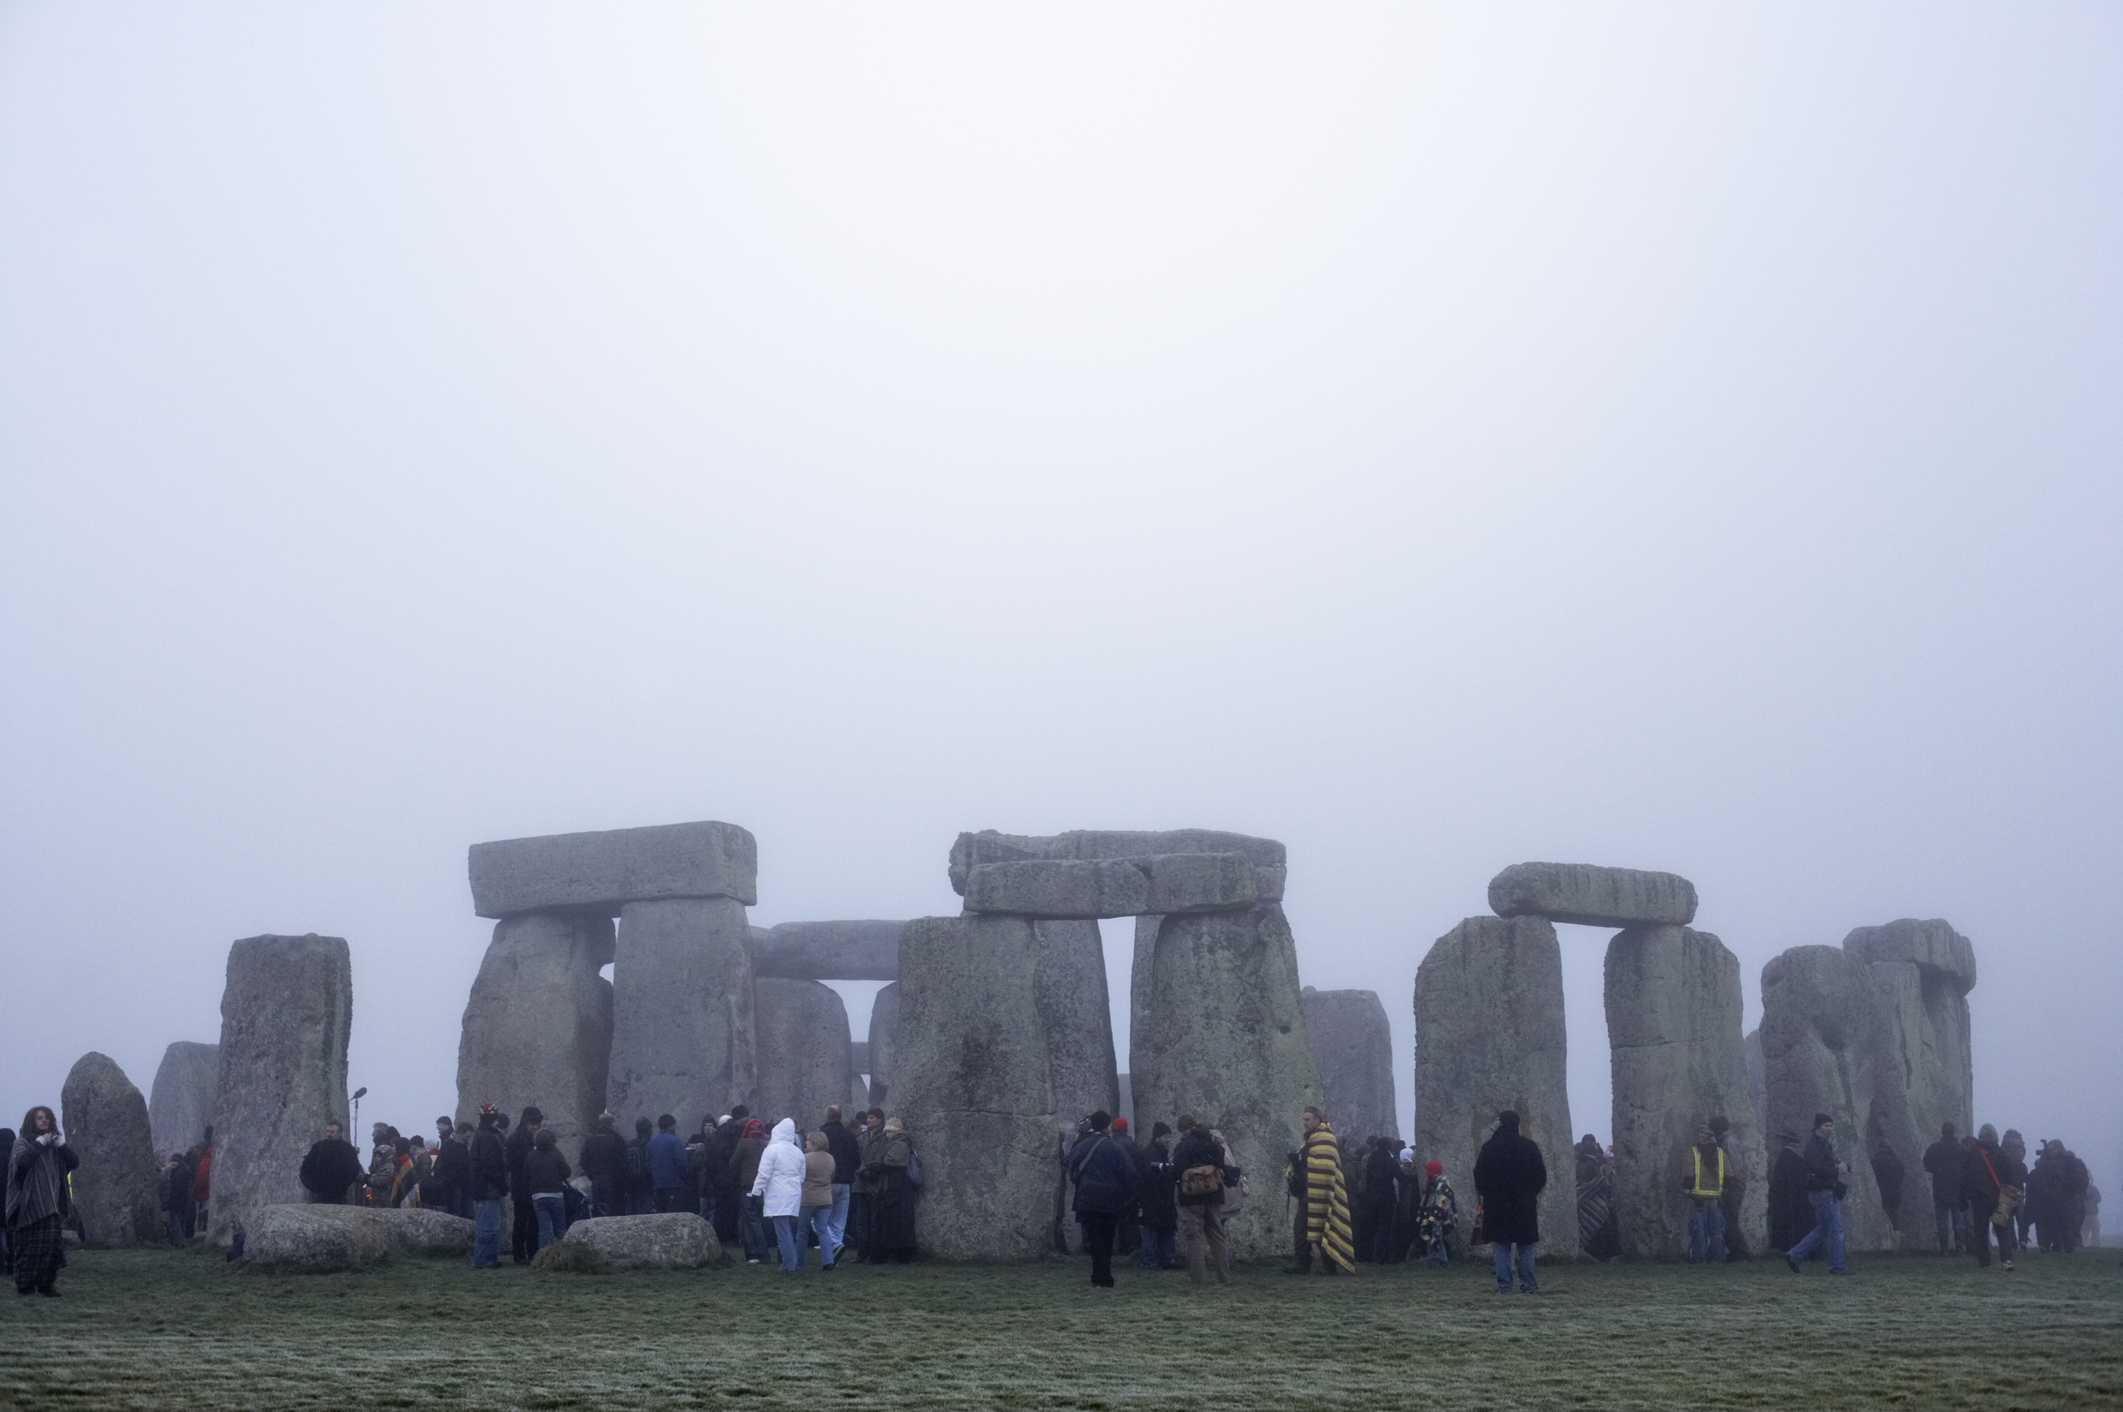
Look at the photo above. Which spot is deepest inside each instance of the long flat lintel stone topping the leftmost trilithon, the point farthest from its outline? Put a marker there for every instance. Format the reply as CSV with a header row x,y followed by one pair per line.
x,y
602,872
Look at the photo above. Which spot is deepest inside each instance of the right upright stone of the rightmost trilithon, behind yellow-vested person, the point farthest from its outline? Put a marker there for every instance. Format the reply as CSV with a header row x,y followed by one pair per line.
x,y
1674,1033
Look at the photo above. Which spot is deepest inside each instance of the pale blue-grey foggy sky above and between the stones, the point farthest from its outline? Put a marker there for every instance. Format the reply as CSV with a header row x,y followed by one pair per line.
x,y
1659,436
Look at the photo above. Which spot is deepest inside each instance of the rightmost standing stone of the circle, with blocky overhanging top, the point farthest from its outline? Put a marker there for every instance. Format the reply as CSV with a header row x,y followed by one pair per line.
x,y
1922,974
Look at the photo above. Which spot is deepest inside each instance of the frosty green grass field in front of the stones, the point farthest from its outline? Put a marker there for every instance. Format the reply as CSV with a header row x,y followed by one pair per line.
x,y
182,1330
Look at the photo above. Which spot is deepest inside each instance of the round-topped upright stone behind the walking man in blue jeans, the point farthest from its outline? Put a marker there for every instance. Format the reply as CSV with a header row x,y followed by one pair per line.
x,y
1827,1048
